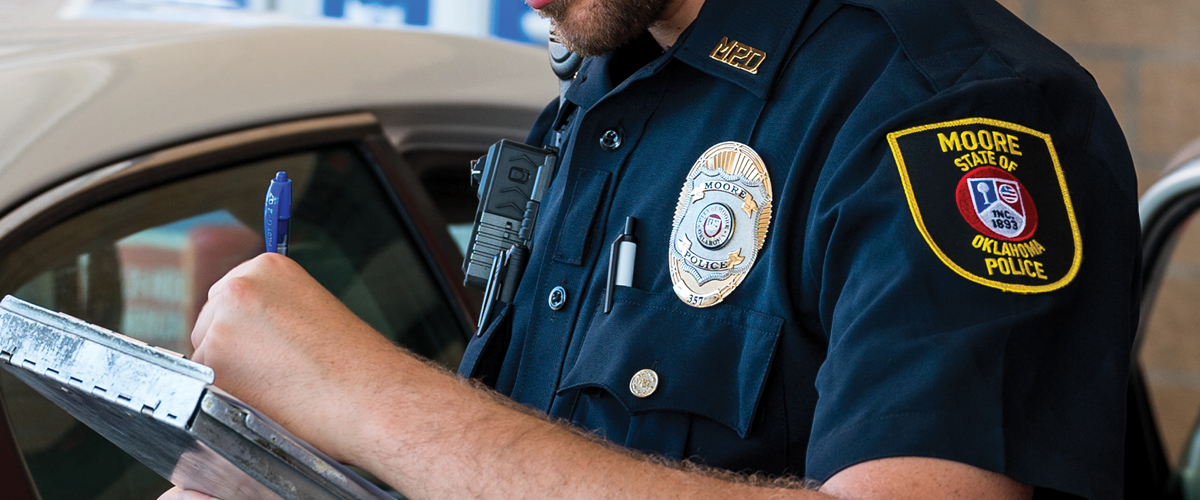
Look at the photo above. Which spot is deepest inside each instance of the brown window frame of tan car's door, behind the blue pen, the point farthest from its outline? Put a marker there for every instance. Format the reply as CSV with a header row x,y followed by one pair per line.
x,y
362,130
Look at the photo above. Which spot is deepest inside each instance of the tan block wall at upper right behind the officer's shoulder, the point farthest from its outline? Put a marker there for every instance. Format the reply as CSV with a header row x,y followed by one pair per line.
x,y
1145,55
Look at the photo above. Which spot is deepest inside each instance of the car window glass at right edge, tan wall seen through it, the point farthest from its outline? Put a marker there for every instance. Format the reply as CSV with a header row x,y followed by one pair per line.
x,y
1171,350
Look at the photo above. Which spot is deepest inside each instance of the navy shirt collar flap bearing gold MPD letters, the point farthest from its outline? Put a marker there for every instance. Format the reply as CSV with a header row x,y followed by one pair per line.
x,y
731,38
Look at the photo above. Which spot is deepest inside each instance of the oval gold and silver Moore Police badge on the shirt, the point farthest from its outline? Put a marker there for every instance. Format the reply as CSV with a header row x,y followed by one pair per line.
x,y
721,224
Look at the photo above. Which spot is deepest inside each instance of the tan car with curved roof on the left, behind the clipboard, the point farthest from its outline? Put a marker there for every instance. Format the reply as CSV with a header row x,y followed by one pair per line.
x,y
134,165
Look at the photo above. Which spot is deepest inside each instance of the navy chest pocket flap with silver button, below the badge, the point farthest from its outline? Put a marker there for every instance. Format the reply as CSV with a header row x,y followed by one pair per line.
x,y
710,363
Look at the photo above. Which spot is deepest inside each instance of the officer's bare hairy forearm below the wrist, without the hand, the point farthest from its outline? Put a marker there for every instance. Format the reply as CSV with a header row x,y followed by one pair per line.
x,y
434,436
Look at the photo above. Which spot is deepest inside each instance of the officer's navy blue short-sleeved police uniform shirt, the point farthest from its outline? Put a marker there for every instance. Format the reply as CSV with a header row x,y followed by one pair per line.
x,y
950,267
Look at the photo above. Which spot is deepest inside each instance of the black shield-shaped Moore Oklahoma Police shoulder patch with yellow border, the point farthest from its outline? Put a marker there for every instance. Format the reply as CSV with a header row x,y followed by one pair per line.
x,y
992,202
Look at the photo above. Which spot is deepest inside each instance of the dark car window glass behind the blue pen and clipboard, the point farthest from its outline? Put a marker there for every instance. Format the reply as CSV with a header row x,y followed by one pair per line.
x,y
143,264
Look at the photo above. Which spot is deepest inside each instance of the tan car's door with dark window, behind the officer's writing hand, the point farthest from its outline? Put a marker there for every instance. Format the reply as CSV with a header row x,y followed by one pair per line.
x,y
135,246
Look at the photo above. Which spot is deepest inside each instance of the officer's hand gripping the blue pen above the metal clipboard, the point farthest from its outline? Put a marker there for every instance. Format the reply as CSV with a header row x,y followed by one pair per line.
x,y
279,341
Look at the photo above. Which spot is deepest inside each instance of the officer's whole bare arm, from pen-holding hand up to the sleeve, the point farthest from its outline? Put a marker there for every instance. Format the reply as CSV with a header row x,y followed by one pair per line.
x,y
434,436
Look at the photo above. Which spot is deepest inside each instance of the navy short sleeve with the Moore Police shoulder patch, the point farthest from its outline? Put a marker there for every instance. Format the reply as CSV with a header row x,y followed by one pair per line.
x,y
976,272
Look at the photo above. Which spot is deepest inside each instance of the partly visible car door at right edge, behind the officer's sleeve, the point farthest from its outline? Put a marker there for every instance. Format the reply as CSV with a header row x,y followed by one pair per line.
x,y
1163,438
